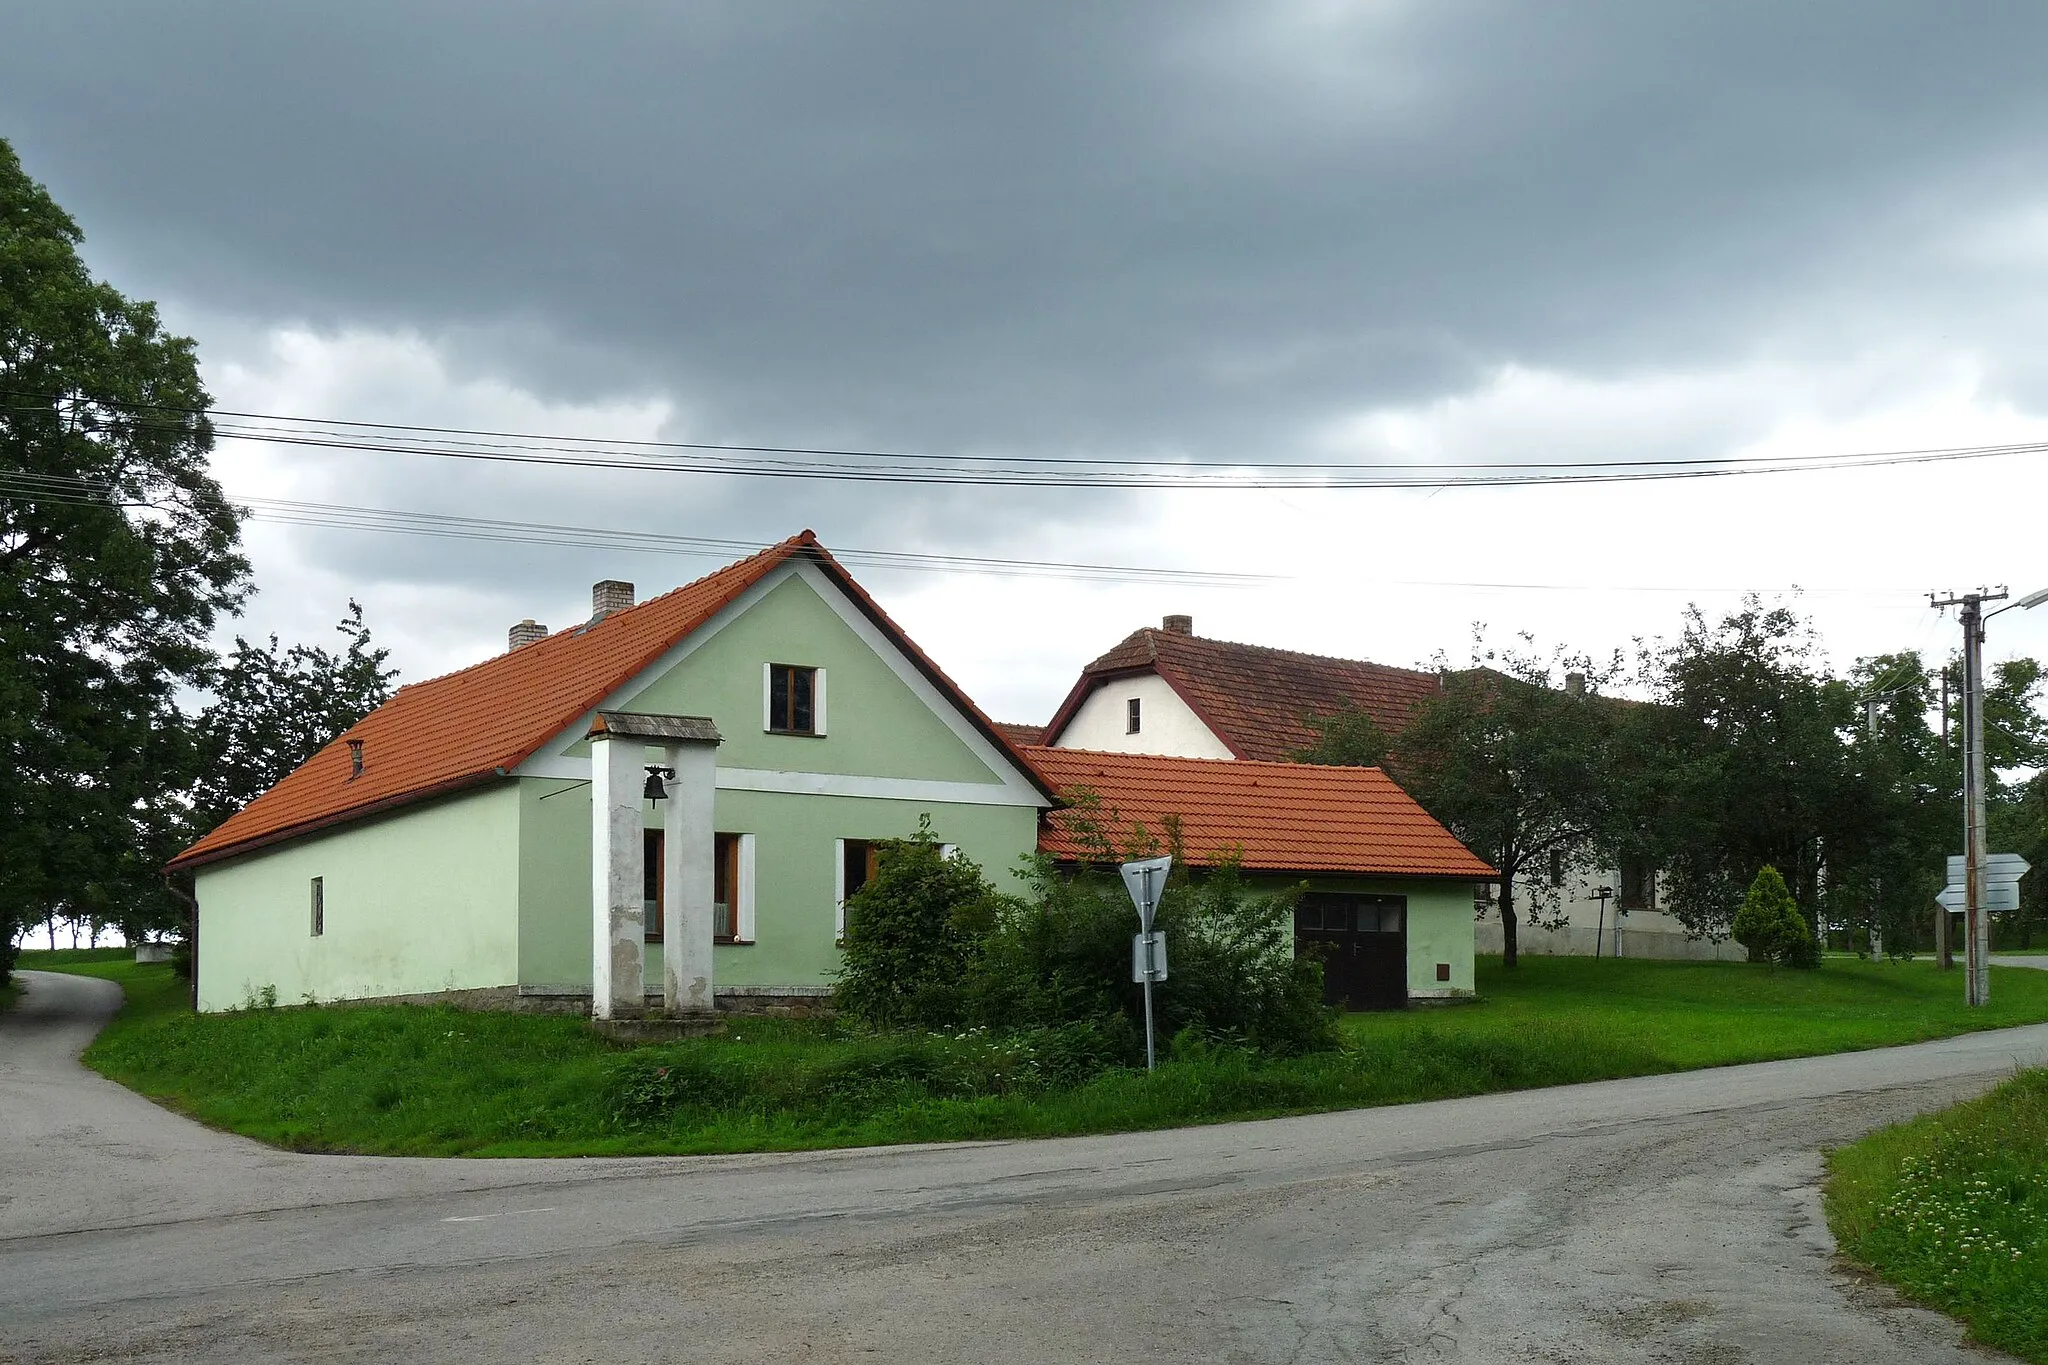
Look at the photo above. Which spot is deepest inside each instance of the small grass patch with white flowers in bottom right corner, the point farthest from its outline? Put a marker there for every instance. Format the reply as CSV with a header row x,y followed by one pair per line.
x,y
1953,1210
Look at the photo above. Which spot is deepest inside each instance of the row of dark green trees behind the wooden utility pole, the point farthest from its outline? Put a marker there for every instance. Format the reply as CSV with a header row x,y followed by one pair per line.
x,y
1719,754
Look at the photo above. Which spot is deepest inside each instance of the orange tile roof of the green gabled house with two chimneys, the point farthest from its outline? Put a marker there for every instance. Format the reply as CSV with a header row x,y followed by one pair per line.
x,y
484,721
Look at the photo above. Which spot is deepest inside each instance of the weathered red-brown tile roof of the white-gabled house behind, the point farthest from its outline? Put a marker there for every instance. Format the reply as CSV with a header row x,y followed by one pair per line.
x,y
1256,699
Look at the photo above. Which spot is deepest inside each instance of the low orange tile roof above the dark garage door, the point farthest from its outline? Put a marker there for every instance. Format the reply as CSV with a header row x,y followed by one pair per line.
x,y
1281,818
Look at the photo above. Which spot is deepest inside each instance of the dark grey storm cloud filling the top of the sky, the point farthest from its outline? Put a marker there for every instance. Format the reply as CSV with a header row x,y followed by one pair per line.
x,y
1172,226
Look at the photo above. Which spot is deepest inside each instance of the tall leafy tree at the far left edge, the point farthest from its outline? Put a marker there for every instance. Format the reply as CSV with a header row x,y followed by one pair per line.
x,y
118,554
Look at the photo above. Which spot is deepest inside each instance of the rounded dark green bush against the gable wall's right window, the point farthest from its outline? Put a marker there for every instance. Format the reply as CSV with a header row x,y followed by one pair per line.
x,y
914,934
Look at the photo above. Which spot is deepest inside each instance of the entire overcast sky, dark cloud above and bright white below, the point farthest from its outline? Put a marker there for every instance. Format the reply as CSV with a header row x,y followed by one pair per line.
x,y
1297,230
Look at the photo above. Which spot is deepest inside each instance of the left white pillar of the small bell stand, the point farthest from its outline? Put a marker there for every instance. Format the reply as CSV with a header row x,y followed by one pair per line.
x,y
617,877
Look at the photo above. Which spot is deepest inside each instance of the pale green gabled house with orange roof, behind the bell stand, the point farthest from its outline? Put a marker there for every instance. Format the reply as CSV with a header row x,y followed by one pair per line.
x,y
665,805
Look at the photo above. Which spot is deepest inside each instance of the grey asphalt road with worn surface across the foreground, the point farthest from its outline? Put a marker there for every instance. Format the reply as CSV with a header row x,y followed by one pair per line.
x,y
1670,1219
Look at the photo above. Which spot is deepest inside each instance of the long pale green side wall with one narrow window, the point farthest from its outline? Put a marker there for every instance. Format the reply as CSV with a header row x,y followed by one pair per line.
x,y
419,901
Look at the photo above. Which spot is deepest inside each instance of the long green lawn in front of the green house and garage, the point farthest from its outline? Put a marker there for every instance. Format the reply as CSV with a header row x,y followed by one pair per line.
x,y
441,1082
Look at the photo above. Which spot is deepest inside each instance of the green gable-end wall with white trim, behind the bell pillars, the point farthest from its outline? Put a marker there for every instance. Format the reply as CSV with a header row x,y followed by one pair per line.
x,y
882,732
